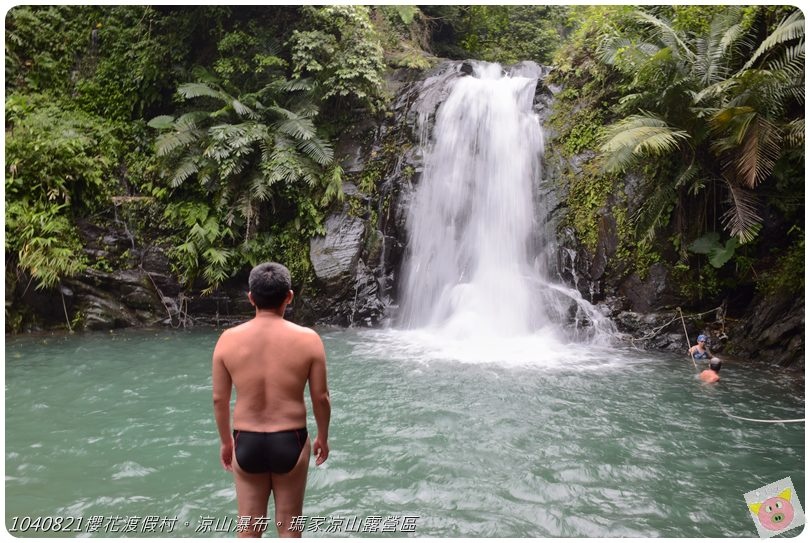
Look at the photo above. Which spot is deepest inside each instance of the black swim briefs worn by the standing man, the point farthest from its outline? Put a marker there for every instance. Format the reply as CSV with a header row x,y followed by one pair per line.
x,y
260,452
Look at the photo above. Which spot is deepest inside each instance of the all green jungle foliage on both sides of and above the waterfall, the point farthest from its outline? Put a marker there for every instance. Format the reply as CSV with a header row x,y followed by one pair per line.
x,y
225,119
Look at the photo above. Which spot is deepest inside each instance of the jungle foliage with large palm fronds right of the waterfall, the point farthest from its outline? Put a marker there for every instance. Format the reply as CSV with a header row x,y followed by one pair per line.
x,y
698,111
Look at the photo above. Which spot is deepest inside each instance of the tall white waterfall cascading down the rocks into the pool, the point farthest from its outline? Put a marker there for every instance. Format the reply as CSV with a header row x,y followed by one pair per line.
x,y
472,266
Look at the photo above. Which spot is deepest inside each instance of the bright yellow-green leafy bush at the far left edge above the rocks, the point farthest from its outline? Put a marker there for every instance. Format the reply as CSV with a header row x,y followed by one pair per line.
x,y
59,163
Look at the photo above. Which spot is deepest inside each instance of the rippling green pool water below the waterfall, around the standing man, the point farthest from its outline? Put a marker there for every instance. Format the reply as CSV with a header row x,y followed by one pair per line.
x,y
593,444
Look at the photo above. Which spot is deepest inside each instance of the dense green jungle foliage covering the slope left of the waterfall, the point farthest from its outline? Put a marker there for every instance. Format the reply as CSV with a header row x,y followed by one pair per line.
x,y
223,116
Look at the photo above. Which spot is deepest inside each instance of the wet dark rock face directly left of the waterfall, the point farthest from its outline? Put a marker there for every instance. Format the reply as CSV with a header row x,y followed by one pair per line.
x,y
357,262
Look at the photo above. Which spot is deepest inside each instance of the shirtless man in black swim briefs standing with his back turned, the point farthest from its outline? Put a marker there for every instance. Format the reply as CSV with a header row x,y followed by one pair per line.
x,y
270,360
